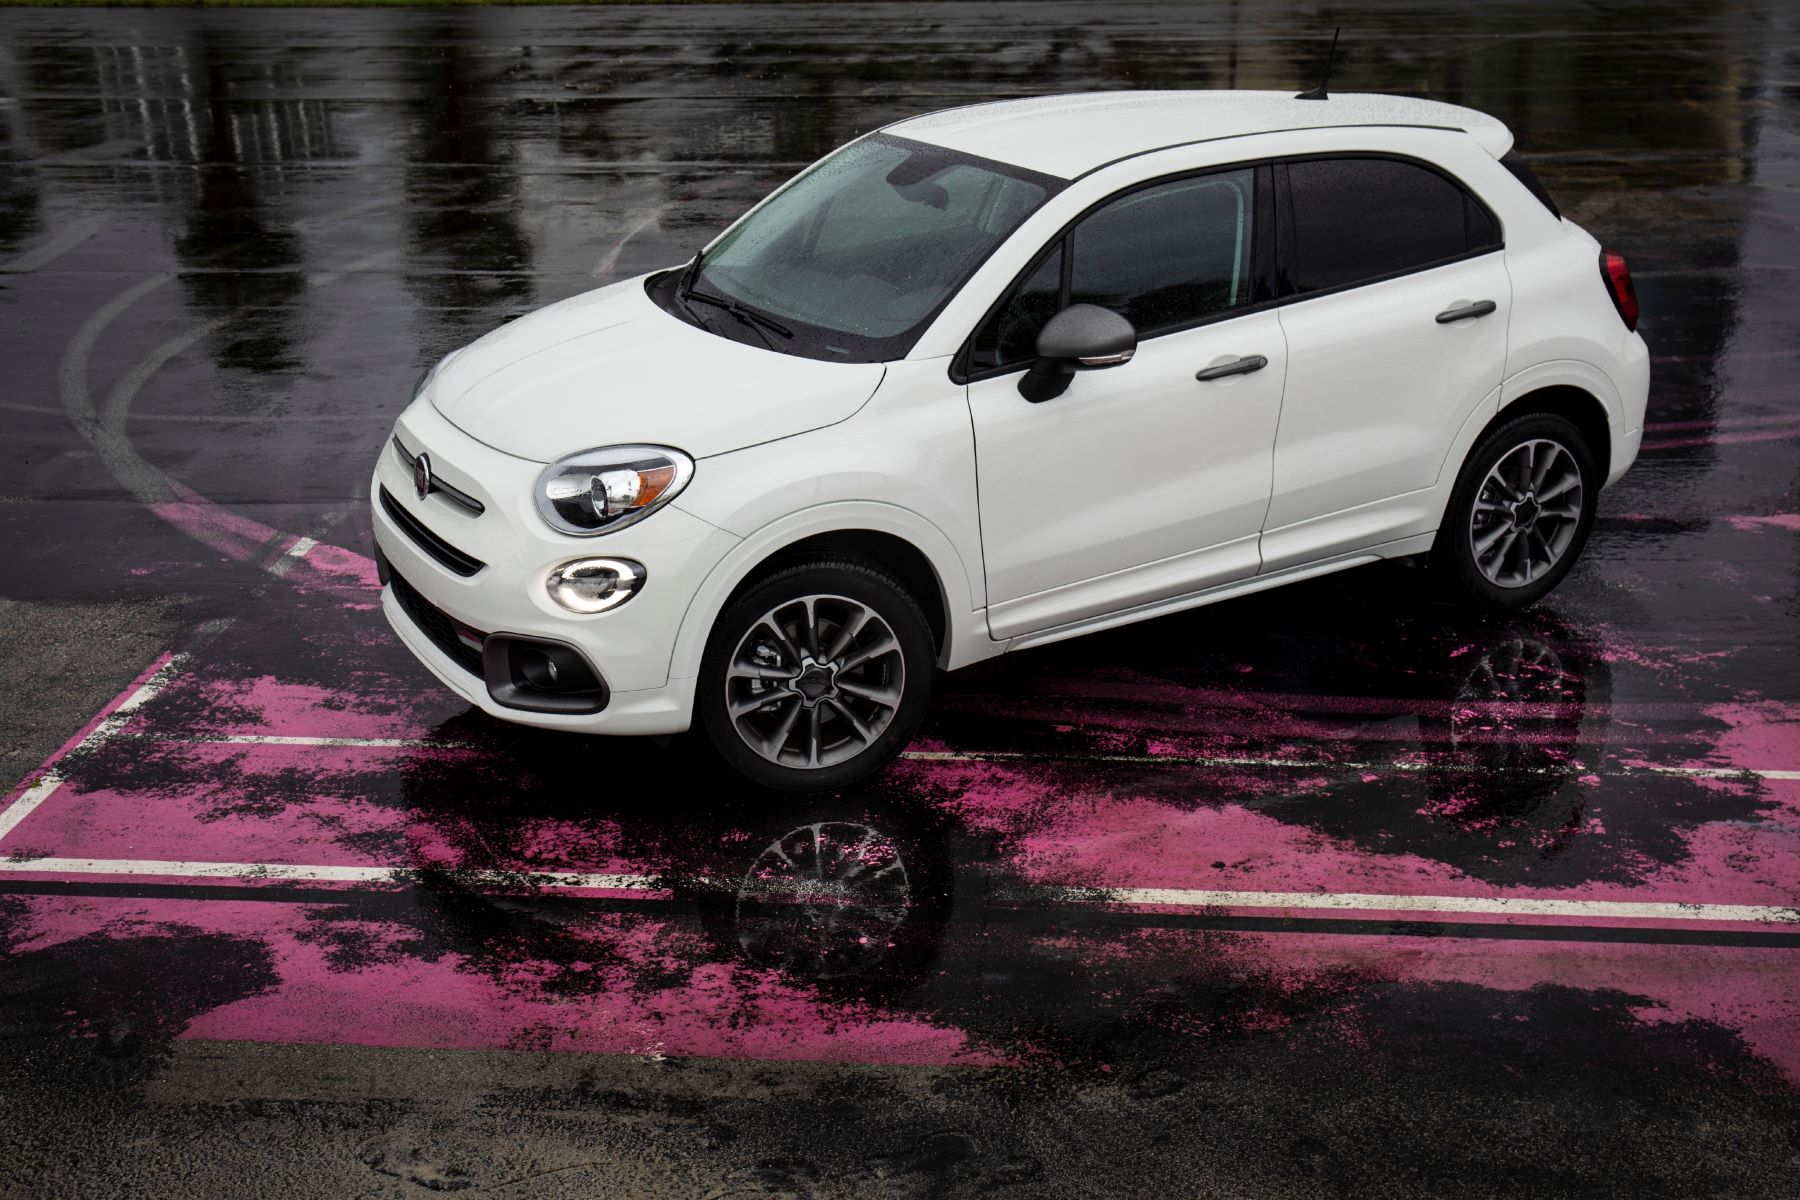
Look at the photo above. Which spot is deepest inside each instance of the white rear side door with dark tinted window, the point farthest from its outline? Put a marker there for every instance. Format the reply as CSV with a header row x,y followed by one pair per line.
x,y
1396,334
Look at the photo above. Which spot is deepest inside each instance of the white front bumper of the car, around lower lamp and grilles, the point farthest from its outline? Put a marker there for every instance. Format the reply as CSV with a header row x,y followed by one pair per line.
x,y
514,553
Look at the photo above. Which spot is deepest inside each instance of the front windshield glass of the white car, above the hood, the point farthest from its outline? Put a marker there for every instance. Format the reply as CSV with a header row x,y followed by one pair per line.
x,y
858,255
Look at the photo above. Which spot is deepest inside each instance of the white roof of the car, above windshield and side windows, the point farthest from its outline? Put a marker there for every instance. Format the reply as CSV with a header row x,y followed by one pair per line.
x,y
1068,136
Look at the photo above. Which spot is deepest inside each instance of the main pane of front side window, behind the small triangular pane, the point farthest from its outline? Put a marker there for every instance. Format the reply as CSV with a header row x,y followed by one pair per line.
x,y
1169,255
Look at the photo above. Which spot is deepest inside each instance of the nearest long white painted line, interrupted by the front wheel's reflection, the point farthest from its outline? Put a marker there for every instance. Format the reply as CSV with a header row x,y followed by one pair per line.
x,y
1065,897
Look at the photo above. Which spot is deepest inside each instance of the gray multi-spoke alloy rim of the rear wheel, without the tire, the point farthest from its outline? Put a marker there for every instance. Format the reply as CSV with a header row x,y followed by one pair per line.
x,y
1527,514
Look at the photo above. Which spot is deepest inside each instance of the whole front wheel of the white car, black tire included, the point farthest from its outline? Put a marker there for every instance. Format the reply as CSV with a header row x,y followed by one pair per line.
x,y
832,713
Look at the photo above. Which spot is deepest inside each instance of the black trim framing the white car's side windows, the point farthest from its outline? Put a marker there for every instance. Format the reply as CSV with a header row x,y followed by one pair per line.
x,y
1272,240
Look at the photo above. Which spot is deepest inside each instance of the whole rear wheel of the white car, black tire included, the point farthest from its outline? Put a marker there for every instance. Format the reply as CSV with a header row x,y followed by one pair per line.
x,y
1507,541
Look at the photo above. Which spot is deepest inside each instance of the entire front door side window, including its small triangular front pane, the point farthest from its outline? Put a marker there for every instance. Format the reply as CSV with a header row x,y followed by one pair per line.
x,y
1162,256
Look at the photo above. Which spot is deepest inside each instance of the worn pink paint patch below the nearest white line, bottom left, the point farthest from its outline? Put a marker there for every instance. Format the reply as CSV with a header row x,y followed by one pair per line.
x,y
458,1001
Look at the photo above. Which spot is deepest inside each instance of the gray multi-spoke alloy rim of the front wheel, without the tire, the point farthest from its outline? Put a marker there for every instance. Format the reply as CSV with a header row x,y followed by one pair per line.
x,y
814,683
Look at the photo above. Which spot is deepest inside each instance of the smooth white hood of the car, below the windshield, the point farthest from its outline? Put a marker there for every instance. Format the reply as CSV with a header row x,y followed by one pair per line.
x,y
611,368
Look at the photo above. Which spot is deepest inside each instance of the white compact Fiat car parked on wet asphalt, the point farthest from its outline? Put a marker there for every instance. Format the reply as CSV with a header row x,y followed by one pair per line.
x,y
998,377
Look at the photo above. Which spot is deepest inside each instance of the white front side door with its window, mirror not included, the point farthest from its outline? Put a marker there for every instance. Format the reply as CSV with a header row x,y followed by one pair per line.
x,y
1142,483
